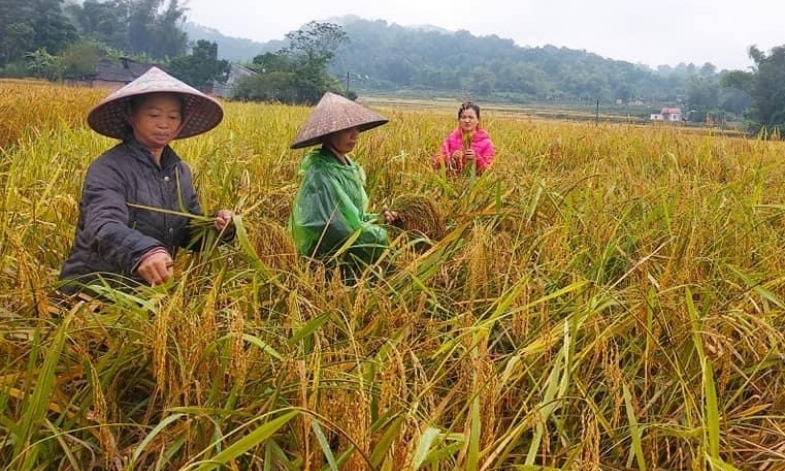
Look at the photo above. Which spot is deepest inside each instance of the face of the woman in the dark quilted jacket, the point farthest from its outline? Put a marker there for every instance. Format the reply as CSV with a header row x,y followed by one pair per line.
x,y
157,120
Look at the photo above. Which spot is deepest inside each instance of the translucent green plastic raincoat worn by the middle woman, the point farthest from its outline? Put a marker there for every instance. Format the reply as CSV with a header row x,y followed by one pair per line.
x,y
330,208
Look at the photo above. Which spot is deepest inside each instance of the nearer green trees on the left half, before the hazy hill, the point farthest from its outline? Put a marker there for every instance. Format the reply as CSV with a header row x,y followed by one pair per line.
x,y
59,40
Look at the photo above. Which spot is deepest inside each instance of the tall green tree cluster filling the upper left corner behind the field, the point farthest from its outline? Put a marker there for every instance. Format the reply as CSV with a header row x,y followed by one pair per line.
x,y
58,40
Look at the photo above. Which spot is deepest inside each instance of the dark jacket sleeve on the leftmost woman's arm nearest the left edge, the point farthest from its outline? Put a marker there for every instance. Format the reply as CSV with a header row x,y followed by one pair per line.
x,y
106,219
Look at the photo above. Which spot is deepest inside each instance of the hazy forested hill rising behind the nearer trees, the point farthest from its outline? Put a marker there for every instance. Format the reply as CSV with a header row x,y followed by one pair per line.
x,y
381,56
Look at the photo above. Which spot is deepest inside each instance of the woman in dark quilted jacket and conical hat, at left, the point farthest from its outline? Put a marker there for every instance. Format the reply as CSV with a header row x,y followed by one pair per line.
x,y
129,230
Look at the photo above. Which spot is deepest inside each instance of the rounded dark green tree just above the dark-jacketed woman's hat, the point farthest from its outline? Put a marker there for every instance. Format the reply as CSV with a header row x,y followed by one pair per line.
x,y
202,68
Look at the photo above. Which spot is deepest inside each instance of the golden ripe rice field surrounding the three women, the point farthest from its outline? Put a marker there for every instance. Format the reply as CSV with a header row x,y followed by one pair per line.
x,y
606,297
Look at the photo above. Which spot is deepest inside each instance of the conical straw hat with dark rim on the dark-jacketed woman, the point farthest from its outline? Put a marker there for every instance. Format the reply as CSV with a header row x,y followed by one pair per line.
x,y
110,116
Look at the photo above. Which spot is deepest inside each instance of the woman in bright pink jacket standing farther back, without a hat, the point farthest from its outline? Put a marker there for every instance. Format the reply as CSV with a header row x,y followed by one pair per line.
x,y
466,143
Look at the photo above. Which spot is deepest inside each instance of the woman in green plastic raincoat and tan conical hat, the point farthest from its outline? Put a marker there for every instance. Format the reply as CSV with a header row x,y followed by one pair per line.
x,y
330,210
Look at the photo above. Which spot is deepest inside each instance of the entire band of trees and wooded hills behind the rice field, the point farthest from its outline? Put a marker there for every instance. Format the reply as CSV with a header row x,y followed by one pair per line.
x,y
57,40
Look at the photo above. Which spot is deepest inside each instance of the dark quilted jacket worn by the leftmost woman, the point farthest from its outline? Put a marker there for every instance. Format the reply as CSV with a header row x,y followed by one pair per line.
x,y
111,235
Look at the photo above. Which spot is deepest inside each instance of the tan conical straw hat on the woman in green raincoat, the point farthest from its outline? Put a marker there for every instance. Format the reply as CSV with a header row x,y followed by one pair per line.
x,y
335,113
